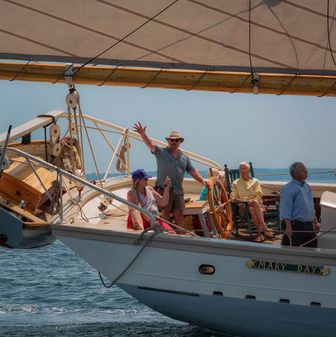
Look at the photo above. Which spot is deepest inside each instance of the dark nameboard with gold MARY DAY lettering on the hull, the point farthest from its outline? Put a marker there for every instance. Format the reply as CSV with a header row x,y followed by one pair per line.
x,y
281,266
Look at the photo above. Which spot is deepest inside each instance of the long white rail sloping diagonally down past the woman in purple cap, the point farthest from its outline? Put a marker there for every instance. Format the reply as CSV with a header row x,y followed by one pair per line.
x,y
86,183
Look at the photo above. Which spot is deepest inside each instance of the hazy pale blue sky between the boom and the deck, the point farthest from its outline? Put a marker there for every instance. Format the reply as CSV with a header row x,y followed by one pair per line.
x,y
270,131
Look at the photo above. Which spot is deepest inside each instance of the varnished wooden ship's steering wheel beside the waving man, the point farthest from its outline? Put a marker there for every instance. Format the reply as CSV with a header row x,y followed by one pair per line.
x,y
220,208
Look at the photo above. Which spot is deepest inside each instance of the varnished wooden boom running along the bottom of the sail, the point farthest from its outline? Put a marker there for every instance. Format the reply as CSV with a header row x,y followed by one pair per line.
x,y
286,84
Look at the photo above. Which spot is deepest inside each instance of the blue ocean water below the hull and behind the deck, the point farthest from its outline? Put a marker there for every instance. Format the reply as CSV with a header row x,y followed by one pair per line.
x,y
50,292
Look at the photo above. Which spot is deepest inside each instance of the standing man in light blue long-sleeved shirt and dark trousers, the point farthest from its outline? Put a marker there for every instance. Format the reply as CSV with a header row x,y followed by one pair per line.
x,y
297,209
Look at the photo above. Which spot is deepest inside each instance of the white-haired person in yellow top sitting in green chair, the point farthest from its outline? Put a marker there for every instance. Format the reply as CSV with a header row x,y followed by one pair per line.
x,y
248,189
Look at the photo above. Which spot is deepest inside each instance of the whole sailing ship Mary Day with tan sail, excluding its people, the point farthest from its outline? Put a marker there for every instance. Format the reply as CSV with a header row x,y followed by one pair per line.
x,y
213,281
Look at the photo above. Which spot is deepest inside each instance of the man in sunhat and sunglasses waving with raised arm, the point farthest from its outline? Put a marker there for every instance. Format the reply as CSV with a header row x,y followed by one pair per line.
x,y
171,162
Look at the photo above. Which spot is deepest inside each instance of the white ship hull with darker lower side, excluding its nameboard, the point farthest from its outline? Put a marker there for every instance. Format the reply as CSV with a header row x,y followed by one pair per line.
x,y
235,299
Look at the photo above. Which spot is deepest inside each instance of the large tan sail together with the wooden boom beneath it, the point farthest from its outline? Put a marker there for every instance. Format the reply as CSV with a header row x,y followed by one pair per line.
x,y
271,46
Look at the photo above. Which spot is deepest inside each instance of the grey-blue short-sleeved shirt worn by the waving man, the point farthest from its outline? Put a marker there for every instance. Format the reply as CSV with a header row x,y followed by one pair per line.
x,y
173,167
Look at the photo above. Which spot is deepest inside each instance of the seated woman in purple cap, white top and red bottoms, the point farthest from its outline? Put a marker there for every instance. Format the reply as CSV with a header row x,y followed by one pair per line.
x,y
147,198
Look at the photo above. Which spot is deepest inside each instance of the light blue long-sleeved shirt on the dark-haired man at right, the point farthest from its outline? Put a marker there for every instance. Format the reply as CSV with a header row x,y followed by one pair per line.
x,y
296,202
